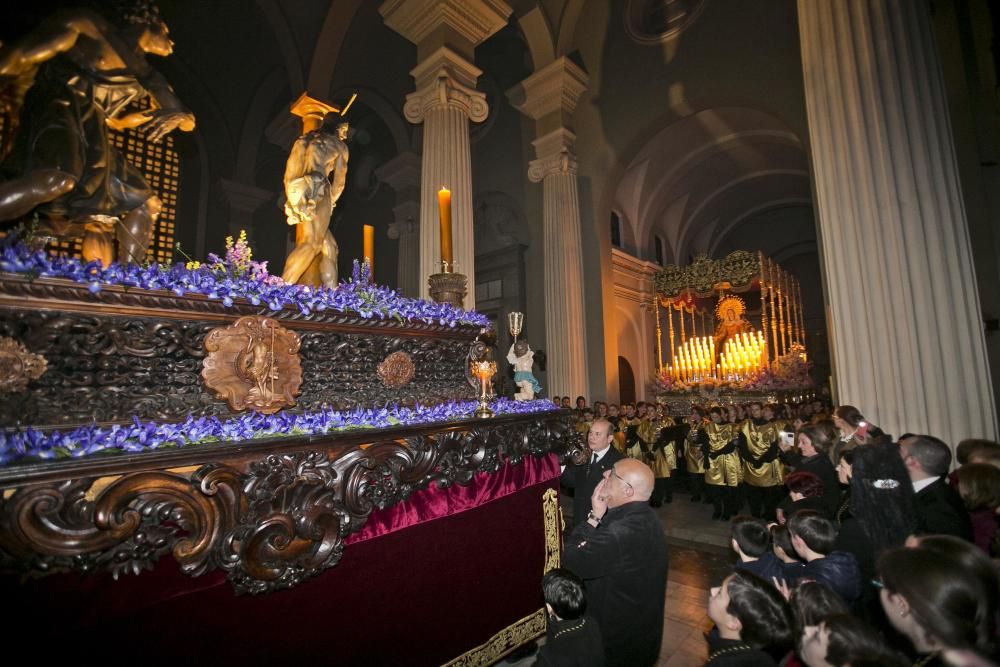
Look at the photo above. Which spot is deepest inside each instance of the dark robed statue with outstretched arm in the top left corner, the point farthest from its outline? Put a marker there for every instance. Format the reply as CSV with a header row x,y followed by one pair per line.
x,y
71,79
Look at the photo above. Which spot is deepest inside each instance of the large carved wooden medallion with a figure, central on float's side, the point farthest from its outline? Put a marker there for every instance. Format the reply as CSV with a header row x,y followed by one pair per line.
x,y
253,365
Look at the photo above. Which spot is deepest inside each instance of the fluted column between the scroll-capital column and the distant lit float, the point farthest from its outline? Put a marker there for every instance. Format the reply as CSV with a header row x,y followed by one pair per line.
x,y
549,96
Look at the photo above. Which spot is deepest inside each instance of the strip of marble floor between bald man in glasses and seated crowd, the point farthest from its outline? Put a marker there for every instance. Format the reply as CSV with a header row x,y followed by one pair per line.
x,y
700,558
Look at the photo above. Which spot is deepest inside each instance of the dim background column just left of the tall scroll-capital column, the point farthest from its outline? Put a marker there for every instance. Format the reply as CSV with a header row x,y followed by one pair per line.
x,y
402,174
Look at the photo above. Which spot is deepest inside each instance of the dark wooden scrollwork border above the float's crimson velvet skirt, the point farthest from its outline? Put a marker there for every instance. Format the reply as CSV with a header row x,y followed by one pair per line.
x,y
269,524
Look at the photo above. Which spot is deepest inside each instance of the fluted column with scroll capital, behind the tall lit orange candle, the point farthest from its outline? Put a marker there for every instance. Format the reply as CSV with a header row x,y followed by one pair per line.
x,y
446,33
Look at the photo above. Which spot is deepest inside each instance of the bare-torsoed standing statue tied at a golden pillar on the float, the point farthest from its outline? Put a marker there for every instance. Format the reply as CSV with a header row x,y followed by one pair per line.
x,y
315,175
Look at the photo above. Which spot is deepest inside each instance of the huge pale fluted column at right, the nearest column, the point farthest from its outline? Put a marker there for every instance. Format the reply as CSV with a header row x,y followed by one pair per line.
x,y
907,331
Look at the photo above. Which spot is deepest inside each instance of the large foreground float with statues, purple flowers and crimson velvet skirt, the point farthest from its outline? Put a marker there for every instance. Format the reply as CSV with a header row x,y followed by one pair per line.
x,y
206,462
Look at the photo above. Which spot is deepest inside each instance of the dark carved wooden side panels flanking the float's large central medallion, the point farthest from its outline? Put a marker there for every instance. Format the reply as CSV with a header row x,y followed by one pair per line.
x,y
114,367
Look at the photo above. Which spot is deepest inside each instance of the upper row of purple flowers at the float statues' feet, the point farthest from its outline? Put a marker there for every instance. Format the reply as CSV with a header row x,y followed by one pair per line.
x,y
357,295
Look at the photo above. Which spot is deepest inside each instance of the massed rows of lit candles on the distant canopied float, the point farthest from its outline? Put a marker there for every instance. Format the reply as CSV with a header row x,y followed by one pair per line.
x,y
743,356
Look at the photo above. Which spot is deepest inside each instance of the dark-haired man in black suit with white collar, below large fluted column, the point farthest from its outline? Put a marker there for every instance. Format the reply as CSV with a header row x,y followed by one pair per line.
x,y
940,510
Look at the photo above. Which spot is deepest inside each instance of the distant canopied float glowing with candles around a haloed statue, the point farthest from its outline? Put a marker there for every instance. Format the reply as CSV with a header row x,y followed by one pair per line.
x,y
729,329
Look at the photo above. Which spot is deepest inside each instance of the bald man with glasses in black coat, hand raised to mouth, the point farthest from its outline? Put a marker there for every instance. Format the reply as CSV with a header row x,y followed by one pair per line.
x,y
621,554
